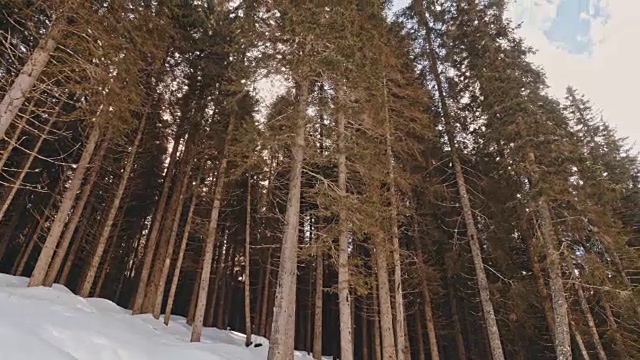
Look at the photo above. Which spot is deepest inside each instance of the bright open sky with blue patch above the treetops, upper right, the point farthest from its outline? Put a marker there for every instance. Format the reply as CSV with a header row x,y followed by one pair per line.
x,y
592,45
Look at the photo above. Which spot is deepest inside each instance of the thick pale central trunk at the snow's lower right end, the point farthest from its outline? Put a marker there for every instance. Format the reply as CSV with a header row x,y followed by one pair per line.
x,y
283,325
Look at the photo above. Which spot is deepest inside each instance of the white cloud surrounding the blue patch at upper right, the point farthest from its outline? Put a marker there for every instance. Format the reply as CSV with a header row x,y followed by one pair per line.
x,y
609,76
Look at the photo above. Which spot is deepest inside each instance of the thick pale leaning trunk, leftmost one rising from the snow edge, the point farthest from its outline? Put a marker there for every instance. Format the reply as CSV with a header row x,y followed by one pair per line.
x,y
50,244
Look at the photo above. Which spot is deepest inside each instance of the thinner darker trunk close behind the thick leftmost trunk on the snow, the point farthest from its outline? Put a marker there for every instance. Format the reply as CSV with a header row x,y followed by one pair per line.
x,y
54,267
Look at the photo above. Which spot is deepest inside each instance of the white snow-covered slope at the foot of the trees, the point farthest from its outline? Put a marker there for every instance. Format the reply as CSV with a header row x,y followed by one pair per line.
x,y
55,324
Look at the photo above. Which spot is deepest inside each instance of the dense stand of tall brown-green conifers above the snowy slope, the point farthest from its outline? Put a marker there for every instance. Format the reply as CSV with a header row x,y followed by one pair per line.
x,y
404,189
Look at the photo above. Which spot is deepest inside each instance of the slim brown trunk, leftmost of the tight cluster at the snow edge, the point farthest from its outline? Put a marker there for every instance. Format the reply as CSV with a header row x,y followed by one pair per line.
x,y
152,239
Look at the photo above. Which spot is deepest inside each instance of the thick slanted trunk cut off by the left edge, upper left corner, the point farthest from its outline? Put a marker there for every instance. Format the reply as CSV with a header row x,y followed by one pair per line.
x,y
23,84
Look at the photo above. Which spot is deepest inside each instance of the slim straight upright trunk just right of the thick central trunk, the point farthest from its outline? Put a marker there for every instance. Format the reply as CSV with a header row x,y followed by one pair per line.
x,y
344,298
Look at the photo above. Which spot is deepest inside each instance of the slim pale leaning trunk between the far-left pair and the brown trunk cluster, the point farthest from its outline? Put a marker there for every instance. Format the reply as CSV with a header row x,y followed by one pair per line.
x,y
113,210
